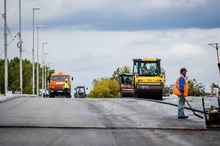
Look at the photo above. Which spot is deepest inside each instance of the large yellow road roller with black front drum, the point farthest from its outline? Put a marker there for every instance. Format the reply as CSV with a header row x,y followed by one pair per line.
x,y
147,78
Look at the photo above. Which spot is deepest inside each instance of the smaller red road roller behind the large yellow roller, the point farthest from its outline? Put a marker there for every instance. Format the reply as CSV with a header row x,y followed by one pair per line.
x,y
126,85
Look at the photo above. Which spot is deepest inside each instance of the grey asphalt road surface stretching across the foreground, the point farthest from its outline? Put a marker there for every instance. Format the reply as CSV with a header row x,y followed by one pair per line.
x,y
99,122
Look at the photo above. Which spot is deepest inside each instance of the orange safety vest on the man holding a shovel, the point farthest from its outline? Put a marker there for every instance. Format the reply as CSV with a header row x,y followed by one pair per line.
x,y
176,88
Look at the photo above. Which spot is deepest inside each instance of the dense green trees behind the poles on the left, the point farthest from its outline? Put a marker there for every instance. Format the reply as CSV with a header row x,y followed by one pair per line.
x,y
14,75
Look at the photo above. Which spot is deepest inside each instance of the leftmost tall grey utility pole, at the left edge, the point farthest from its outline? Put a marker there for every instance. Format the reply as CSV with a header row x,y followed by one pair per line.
x,y
6,49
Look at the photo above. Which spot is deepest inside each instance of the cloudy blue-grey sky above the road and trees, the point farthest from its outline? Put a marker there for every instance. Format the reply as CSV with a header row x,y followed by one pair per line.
x,y
91,38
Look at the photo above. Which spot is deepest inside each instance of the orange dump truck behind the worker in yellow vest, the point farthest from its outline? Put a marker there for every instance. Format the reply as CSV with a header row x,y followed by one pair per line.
x,y
56,84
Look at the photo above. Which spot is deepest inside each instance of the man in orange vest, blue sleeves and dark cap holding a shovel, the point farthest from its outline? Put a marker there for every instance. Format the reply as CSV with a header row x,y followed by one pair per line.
x,y
180,89
